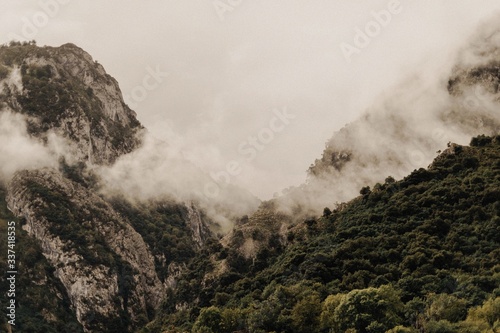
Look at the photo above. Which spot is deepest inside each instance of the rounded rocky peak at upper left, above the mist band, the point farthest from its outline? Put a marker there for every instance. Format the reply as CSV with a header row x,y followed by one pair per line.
x,y
63,90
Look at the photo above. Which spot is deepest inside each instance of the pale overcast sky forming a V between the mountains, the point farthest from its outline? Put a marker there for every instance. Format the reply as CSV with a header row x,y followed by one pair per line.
x,y
232,64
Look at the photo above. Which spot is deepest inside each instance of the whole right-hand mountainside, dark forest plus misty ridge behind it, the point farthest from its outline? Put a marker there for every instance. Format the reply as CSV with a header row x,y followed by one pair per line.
x,y
260,275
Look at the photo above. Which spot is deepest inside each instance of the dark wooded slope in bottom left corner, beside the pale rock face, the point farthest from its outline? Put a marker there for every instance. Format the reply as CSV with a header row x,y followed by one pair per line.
x,y
43,304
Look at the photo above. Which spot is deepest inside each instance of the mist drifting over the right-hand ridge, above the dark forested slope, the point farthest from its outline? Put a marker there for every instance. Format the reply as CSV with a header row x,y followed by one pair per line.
x,y
406,128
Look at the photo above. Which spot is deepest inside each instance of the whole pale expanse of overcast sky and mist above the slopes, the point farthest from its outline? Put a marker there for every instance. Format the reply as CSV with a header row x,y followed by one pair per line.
x,y
212,117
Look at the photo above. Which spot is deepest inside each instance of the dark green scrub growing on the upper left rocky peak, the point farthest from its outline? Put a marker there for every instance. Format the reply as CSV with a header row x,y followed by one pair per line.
x,y
51,95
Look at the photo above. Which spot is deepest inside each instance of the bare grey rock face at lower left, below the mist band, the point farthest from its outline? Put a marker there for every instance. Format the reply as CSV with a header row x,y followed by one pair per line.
x,y
101,260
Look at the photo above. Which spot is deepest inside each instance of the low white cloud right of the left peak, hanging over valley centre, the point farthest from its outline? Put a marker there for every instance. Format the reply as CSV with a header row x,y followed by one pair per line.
x,y
156,171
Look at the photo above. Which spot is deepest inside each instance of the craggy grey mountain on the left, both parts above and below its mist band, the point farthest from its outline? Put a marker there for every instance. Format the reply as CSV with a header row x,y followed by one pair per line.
x,y
111,259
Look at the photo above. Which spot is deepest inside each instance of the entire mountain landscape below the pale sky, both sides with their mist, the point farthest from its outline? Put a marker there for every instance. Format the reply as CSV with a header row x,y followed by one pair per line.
x,y
115,233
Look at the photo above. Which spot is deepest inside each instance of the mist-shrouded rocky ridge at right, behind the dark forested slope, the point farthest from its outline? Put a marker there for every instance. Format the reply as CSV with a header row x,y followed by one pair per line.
x,y
402,132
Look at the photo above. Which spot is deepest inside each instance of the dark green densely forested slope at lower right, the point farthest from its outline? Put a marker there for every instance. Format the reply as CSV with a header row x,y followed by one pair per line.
x,y
420,253
